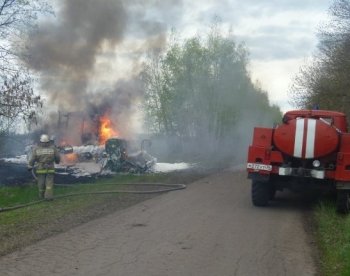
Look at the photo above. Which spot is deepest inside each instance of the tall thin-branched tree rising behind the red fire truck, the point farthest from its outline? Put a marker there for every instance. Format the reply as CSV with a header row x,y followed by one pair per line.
x,y
325,82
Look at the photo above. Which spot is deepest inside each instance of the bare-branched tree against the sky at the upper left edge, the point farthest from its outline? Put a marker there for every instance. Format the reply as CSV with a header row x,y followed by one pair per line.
x,y
17,98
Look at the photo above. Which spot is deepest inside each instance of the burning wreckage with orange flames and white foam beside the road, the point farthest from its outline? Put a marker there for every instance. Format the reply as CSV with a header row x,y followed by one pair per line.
x,y
106,149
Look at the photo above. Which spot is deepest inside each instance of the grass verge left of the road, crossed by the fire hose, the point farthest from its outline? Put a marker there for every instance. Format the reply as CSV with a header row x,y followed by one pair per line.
x,y
21,227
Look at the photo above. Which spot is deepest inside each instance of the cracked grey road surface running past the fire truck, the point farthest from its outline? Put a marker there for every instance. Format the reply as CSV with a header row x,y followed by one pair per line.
x,y
210,228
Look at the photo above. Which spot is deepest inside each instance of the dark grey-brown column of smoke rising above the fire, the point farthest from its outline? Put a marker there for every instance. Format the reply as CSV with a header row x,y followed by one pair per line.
x,y
64,52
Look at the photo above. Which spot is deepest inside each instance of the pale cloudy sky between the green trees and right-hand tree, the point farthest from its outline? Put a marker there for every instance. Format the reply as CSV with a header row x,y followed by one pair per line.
x,y
279,34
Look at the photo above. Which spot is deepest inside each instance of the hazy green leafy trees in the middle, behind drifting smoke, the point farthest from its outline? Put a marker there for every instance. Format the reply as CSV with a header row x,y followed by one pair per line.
x,y
201,89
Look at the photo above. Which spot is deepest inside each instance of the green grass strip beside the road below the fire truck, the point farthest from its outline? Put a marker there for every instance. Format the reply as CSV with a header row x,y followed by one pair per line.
x,y
333,237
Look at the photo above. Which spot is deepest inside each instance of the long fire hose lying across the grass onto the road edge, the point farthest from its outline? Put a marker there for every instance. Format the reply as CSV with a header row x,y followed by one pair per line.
x,y
166,188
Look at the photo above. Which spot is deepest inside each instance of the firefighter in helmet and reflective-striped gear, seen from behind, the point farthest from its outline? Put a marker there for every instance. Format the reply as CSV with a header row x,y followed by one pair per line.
x,y
43,158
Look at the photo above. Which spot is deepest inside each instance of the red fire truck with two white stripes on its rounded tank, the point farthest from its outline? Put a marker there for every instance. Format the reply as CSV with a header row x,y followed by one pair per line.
x,y
309,150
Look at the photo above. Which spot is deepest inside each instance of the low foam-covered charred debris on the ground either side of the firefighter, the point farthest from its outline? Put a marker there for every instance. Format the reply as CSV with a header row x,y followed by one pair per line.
x,y
83,163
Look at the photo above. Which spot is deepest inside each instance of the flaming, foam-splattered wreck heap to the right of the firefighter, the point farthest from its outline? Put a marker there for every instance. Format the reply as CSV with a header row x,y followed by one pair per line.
x,y
100,142
